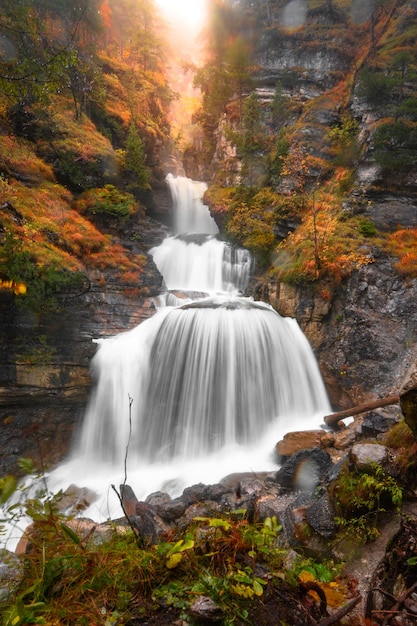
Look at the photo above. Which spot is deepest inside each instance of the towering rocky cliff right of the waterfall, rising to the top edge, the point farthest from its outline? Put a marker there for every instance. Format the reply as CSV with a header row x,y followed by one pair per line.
x,y
363,327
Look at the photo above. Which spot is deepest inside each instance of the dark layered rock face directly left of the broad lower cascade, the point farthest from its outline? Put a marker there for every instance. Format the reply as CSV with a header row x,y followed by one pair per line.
x,y
45,358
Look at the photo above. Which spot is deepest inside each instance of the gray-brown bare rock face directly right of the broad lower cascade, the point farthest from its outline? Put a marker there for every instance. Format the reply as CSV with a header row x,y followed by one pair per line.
x,y
364,337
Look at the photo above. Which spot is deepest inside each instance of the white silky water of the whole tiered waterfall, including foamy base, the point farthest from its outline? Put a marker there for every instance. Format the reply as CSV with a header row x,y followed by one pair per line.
x,y
200,390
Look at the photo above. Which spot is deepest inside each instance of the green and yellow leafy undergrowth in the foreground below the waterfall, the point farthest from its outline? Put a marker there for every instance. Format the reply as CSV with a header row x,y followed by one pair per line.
x,y
75,574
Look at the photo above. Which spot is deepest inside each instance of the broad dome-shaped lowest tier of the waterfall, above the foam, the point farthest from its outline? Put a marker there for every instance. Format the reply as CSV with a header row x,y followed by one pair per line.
x,y
204,375
